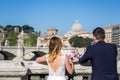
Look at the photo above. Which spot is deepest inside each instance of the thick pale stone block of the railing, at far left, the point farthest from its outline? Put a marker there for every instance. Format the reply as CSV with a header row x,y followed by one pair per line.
x,y
12,70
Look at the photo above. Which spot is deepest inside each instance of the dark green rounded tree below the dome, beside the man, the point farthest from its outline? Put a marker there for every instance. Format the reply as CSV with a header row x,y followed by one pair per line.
x,y
77,41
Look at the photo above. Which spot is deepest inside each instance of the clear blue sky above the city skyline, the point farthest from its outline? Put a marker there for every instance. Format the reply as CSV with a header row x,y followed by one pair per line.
x,y
60,14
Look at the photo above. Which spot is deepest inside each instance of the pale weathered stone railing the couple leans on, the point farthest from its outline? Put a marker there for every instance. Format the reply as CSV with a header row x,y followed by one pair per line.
x,y
30,70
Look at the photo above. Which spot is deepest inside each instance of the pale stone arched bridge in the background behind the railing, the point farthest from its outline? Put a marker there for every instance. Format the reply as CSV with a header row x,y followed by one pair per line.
x,y
12,52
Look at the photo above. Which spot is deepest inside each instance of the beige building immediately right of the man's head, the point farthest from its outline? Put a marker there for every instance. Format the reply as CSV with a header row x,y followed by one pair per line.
x,y
108,34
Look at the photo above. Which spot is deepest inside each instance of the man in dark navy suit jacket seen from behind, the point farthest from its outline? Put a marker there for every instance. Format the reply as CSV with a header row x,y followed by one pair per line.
x,y
102,57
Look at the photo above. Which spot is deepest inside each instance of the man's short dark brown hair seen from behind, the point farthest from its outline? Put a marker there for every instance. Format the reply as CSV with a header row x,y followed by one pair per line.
x,y
99,33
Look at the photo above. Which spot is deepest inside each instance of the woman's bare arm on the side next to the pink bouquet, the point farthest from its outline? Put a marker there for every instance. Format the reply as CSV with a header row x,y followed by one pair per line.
x,y
69,66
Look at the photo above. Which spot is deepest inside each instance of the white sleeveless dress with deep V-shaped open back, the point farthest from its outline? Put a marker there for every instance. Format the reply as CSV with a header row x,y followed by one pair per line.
x,y
60,72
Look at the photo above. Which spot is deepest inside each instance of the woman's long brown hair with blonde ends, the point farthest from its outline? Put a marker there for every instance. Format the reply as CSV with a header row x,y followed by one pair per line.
x,y
55,46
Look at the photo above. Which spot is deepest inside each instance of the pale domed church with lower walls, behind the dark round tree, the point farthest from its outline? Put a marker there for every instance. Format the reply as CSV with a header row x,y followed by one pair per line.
x,y
76,30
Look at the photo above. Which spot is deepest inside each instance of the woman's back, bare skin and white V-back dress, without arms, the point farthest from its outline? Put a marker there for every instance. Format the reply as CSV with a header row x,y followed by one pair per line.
x,y
57,68
